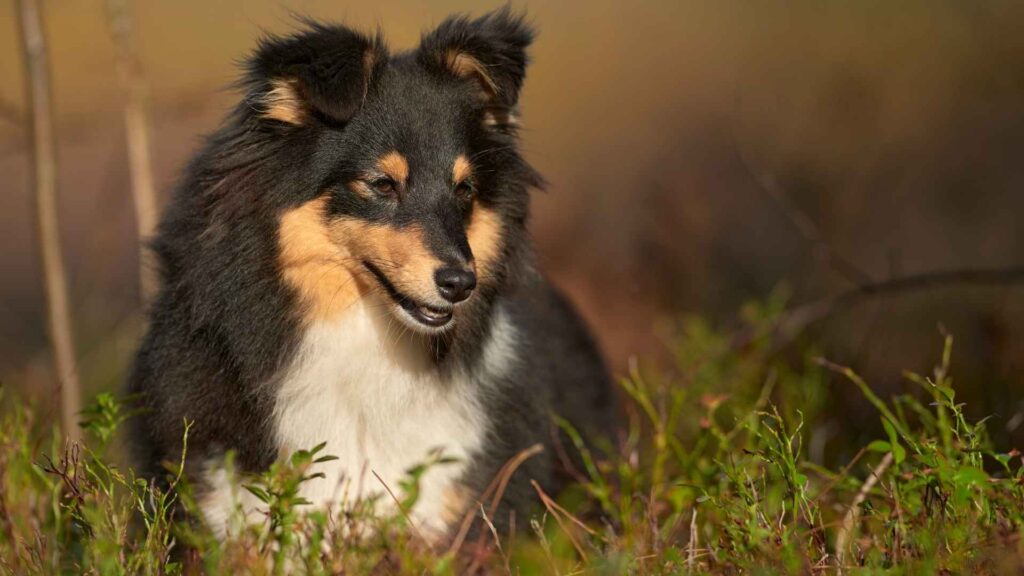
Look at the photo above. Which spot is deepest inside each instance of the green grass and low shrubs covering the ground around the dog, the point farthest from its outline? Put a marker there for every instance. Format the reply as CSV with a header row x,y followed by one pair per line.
x,y
710,475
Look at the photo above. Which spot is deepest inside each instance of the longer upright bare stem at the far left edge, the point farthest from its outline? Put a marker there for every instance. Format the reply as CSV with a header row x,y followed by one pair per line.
x,y
45,161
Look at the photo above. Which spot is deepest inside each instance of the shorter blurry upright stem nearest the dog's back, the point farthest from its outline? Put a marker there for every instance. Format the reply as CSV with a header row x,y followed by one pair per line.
x,y
133,80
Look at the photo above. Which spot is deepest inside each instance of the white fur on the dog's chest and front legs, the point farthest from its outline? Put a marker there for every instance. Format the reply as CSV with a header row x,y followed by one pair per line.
x,y
358,385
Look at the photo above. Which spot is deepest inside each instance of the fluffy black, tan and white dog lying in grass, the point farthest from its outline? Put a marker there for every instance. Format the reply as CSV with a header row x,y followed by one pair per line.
x,y
347,261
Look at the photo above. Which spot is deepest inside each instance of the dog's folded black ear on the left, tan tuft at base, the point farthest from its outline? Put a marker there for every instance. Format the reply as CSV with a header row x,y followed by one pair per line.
x,y
323,72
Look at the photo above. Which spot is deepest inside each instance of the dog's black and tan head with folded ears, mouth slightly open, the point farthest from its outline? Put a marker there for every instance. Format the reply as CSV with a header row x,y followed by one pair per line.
x,y
418,183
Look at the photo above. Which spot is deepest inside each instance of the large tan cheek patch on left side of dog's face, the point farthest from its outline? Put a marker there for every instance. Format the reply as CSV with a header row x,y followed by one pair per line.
x,y
314,265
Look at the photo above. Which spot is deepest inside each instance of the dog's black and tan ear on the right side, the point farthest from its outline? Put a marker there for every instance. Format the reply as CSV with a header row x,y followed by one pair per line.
x,y
489,52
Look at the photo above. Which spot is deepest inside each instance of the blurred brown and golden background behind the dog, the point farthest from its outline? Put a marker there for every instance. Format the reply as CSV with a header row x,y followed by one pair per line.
x,y
700,155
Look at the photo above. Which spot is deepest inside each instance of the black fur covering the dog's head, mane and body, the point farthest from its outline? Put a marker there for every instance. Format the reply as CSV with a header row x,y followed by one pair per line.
x,y
226,324
